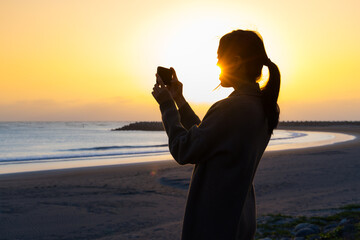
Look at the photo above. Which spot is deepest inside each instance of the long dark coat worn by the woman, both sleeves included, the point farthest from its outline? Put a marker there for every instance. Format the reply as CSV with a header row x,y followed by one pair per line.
x,y
226,148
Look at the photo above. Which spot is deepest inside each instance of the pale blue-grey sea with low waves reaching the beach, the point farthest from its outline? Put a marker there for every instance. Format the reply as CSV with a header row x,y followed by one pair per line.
x,y
33,146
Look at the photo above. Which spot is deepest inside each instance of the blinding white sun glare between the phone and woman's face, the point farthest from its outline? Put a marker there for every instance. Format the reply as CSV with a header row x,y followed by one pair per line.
x,y
192,51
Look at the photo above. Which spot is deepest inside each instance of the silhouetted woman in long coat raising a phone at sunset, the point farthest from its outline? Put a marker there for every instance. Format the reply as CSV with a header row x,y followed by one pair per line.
x,y
226,146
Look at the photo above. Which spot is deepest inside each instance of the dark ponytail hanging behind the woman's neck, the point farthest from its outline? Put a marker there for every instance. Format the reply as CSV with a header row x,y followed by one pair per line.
x,y
270,95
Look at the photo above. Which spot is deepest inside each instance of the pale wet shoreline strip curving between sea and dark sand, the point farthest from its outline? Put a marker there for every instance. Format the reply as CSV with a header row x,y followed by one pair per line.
x,y
111,161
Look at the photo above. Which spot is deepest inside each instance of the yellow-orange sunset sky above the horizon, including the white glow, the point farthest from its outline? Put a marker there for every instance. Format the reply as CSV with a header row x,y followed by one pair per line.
x,y
96,60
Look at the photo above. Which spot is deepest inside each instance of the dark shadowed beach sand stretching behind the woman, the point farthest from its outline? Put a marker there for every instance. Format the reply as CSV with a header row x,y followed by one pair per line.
x,y
147,200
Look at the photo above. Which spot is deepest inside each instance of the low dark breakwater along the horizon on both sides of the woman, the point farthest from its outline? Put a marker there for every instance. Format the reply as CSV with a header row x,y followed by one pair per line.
x,y
158,126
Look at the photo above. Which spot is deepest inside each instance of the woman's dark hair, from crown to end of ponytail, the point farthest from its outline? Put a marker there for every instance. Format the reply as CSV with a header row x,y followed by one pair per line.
x,y
250,47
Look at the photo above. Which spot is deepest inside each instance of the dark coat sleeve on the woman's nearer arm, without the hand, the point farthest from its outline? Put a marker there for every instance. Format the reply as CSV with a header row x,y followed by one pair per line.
x,y
193,145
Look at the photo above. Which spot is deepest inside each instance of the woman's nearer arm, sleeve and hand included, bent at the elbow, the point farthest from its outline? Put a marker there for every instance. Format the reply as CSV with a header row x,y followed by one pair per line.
x,y
199,142
